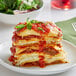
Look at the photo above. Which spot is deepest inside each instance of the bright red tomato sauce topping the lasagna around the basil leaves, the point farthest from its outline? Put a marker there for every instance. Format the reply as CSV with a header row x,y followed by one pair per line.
x,y
35,28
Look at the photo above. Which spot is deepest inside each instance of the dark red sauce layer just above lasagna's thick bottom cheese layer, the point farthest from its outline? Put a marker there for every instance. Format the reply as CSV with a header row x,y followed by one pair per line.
x,y
46,50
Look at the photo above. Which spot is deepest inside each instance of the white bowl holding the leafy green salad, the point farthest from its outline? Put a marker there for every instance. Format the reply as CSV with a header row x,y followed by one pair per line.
x,y
13,19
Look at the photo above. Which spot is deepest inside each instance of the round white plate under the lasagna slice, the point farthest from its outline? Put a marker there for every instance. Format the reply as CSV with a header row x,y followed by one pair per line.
x,y
51,69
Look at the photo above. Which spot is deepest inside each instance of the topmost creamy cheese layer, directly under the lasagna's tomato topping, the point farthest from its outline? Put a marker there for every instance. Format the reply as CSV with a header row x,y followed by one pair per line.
x,y
27,32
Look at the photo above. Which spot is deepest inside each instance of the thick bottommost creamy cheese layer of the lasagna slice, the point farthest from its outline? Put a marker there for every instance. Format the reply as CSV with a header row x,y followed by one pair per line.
x,y
26,58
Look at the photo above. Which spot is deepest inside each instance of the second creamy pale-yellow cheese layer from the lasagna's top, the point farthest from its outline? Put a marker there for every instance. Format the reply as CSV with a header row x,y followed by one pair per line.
x,y
36,40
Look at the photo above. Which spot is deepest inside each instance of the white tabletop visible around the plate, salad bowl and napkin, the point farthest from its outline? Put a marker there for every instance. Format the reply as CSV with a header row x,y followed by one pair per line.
x,y
46,14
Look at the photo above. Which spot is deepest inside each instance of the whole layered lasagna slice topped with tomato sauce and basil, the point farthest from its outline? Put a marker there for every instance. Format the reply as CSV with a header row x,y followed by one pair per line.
x,y
36,43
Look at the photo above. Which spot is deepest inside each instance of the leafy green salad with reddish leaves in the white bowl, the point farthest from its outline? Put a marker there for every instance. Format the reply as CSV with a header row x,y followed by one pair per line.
x,y
9,6
